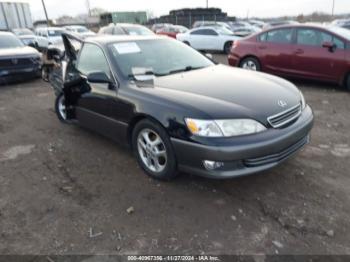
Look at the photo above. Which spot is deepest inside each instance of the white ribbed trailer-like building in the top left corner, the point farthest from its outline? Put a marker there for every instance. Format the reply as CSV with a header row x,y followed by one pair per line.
x,y
15,15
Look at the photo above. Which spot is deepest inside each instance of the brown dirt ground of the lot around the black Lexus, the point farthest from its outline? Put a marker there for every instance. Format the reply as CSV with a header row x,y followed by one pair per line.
x,y
65,190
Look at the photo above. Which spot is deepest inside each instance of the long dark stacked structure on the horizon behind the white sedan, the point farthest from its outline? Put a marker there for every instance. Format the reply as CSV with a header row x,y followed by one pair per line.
x,y
187,17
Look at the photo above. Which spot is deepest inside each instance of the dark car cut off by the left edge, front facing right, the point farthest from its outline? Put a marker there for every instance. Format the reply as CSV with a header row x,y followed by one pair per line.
x,y
17,61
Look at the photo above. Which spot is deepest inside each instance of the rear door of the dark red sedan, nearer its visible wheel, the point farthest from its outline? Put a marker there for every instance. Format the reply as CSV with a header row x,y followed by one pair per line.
x,y
275,50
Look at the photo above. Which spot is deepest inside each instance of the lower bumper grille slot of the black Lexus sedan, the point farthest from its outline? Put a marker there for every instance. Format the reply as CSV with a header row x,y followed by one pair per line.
x,y
275,158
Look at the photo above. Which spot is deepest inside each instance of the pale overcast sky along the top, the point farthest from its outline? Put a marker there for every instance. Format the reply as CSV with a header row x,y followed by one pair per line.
x,y
239,8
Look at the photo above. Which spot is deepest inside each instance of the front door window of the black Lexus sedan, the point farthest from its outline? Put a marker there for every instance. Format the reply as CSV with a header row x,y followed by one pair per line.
x,y
92,59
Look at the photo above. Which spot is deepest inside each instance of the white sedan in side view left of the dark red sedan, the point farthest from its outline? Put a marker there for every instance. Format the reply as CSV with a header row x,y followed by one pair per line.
x,y
209,38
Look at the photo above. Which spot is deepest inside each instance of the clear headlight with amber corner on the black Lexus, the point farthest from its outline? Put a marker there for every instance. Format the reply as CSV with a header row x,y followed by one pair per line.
x,y
224,128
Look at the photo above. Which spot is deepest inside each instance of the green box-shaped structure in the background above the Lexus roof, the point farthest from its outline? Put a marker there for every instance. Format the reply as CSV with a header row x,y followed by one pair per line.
x,y
123,17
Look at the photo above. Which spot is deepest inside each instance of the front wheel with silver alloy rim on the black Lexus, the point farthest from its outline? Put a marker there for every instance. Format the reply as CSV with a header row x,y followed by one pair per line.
x,y
156,159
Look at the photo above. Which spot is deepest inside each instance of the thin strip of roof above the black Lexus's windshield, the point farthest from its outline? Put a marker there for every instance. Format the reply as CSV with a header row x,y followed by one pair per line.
x,y
108,39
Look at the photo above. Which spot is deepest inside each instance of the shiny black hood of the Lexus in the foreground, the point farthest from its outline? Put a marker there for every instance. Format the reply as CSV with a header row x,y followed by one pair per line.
x,y
223,92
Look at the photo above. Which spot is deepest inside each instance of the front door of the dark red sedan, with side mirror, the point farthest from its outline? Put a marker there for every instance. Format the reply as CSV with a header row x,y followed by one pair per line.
x,y
312,60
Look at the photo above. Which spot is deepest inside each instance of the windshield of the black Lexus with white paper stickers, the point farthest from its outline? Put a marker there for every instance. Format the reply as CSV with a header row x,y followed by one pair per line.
x,y
157,56
